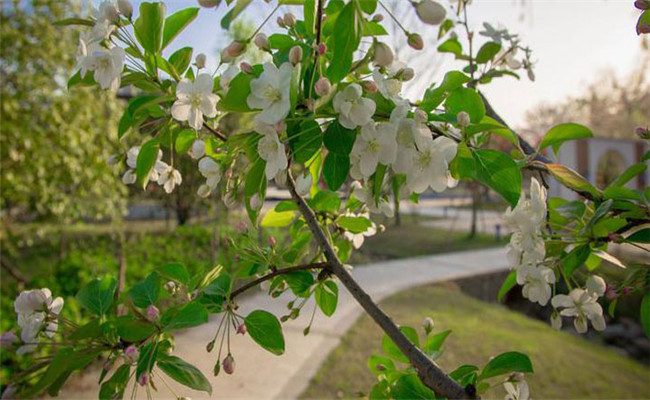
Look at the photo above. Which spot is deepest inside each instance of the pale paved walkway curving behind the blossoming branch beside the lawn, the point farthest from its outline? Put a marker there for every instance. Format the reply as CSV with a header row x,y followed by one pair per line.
x,y
261,375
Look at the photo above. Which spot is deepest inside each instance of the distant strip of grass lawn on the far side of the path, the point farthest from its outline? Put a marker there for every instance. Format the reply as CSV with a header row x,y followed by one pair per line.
x,y
413,238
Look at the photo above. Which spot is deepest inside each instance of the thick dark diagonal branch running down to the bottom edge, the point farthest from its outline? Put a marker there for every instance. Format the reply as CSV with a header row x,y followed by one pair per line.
x,y
430,373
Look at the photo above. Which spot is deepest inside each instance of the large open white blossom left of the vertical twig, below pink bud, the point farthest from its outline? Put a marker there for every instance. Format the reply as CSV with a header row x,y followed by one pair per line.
x,y
271,93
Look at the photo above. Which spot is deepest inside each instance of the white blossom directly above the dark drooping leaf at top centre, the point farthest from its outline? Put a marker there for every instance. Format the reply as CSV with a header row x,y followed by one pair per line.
x,y
353,109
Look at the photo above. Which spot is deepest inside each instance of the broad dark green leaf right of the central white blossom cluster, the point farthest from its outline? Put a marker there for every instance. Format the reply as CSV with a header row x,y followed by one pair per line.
x,y
500,172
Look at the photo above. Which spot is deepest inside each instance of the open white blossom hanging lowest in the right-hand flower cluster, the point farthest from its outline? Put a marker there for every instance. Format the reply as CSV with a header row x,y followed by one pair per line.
x,y
583,306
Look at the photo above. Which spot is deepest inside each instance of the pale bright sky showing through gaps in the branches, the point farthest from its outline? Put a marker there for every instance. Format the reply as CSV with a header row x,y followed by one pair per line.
x,y
572,41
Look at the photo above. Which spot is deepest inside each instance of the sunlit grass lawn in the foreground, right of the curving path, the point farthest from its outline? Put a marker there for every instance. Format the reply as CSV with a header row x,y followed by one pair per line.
x,y
566,366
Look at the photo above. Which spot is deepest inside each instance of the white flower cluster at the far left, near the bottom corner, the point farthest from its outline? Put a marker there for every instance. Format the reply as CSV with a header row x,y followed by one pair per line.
x,y
37,313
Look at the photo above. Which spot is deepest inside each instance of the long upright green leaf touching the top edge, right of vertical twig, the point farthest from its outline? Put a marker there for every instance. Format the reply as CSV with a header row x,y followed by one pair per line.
x,y
345,41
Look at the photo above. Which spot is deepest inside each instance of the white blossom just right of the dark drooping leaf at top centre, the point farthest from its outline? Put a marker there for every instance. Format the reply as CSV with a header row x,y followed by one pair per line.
x,y
376,144
